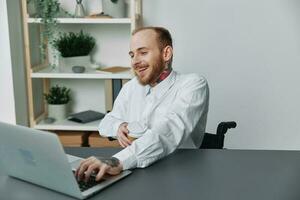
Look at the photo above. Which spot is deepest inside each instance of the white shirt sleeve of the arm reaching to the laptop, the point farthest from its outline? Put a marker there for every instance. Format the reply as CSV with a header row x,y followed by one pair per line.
x,y
171,130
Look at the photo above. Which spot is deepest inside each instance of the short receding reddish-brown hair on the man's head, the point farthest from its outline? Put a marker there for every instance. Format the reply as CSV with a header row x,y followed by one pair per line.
x,y
164,37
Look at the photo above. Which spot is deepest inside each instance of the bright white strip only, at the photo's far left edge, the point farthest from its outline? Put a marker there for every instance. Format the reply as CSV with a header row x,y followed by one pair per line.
x,y
7,103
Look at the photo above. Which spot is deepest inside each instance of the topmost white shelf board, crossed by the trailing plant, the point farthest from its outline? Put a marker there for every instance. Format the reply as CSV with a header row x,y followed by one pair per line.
x,y
85,20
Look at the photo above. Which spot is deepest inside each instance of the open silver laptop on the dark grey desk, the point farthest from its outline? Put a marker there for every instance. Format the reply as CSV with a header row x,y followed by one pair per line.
x,y
38,157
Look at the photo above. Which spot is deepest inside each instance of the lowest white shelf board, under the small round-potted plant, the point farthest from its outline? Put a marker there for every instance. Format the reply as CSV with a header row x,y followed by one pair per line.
x,y
68,125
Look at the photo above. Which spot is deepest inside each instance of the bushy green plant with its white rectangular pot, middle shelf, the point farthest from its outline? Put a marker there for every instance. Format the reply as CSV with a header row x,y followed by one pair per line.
x,y
74,49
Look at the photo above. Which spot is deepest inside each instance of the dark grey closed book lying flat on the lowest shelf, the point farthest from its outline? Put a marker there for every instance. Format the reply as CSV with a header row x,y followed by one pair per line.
x,y
86,116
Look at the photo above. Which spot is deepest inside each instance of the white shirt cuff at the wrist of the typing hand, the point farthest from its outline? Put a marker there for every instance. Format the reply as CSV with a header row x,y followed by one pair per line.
x,y
127,158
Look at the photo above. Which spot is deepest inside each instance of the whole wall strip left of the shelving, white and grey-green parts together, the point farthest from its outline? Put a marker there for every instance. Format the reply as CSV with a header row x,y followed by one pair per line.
x,y
13,101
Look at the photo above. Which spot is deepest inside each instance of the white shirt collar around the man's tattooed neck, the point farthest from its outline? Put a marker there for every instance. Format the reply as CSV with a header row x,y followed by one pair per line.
x,y
160,89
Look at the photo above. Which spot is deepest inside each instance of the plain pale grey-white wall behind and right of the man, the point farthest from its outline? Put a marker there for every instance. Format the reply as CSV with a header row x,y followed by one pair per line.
x,y
250,53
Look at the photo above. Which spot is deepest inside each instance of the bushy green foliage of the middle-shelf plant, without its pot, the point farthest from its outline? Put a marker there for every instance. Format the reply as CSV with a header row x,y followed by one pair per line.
x,y
74,44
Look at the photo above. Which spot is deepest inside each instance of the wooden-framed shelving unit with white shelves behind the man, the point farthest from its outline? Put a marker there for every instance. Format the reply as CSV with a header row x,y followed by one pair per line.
x,y
40,77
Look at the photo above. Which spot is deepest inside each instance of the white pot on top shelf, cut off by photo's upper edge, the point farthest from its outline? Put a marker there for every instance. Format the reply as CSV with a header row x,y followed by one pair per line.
x,y
116,10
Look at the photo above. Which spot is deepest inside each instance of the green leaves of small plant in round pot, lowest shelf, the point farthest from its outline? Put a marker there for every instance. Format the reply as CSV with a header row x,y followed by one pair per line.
x,y
58,95
